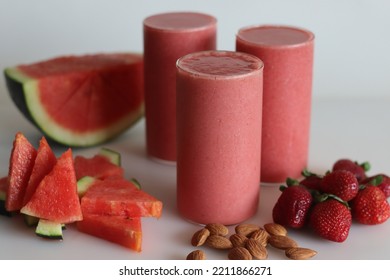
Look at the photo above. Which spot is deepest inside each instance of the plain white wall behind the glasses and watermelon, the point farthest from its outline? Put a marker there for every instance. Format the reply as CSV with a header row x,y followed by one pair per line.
x,y
352,36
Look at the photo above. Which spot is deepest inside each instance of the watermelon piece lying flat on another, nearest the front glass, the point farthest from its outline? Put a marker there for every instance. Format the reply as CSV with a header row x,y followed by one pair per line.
x,y
119,197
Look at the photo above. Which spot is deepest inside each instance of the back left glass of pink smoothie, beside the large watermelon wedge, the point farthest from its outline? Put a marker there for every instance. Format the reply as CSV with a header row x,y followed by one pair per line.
x,y
167,37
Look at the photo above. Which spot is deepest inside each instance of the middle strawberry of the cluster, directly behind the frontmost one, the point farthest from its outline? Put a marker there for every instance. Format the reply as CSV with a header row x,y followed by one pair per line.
x,y
341,183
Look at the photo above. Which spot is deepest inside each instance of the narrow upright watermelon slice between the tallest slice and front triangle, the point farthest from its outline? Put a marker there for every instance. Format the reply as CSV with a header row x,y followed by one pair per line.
x,y
44,163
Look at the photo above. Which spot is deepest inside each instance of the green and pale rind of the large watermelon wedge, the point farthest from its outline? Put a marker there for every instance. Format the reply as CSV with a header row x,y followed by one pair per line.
x,y
25,94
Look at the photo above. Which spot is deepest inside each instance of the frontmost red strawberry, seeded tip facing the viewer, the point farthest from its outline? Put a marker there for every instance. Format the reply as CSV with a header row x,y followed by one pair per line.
x,y
331,220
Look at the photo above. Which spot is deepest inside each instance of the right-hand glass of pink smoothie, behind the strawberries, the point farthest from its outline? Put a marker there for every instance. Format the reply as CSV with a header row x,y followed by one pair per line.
x,y
287,53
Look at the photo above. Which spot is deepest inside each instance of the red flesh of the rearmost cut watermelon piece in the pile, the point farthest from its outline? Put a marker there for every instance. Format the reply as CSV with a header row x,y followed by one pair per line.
x,y
98,166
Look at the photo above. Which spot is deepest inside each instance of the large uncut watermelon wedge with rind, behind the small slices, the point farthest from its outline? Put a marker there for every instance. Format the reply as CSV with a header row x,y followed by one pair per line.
x,y
80,100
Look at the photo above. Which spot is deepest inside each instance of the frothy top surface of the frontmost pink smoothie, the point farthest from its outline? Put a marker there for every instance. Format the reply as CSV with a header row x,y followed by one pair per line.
x,y
219,63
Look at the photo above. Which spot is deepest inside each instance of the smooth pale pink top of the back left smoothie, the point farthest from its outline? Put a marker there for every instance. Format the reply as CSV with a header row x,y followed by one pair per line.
x,y
179,21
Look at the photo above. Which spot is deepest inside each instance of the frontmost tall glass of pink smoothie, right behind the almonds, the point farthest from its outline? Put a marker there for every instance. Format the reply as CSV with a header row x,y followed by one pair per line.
x,y
219,101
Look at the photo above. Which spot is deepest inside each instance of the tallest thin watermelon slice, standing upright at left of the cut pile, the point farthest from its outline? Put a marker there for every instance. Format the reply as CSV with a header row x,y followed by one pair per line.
x,y
22,159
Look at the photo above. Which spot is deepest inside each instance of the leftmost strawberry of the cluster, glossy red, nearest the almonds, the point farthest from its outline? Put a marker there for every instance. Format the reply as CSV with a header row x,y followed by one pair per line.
x,y
292,206
